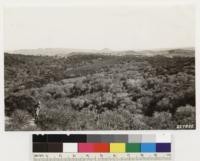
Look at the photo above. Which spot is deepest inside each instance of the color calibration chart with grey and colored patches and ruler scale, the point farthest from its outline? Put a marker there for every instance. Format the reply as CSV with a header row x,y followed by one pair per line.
x,y
92,147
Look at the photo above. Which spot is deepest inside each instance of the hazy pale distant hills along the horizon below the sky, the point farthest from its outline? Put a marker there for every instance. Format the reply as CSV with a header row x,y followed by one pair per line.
x,y
65,52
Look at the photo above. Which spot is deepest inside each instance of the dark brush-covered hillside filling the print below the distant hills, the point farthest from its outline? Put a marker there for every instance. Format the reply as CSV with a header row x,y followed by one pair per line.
x,y
95,91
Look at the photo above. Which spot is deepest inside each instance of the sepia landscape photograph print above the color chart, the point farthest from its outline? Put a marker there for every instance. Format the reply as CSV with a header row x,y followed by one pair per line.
x,y
79,67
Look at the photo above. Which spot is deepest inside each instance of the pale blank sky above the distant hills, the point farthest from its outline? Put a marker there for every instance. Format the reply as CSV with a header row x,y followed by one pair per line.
x,y
117,28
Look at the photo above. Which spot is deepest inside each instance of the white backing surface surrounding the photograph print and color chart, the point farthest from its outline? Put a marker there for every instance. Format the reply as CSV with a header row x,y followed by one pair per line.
x,y
16,146
